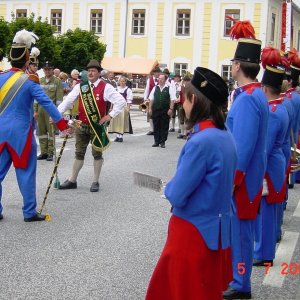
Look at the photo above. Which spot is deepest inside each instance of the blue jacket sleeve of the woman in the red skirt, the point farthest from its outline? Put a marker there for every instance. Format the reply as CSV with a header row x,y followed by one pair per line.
x,y
190,172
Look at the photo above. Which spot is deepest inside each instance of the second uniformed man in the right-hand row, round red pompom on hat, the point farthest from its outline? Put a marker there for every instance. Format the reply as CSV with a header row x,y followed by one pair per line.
x,y
275,176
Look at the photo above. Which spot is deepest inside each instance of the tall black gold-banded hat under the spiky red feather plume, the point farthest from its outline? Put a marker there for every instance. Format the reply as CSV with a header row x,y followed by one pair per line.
x,y
248,50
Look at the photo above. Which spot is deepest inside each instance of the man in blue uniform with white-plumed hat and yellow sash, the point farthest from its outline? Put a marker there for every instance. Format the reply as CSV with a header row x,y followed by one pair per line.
x,y
17,142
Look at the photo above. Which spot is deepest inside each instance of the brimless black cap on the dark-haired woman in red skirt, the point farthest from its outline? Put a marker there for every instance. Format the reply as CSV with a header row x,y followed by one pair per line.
x,y
211,85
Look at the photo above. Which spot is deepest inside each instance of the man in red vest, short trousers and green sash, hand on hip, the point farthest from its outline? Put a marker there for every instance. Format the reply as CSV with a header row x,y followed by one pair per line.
x,y
93,97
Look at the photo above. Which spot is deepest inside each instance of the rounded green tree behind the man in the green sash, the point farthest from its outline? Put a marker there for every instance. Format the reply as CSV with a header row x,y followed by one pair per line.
x,y
76,48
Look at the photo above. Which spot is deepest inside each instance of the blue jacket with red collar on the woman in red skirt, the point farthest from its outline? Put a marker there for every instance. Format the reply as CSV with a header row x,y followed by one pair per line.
x,y
200,192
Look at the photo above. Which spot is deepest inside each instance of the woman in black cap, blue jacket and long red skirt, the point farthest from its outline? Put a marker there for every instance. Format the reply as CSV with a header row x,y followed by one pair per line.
x,y
195,262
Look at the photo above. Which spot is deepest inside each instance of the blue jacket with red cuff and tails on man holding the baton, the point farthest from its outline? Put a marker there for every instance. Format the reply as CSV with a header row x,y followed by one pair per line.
x,y
16,120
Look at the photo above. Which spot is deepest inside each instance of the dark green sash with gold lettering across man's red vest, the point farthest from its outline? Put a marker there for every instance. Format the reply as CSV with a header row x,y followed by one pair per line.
x,y
101,140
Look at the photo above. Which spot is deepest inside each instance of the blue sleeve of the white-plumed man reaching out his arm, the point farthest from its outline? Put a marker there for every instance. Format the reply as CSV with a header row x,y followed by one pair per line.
x,y
41,97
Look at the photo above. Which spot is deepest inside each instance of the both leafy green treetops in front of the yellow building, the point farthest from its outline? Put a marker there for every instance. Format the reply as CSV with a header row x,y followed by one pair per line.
x,y
72,50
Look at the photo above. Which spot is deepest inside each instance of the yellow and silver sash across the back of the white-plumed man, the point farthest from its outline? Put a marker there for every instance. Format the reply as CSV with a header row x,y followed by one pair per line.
x,y
10,89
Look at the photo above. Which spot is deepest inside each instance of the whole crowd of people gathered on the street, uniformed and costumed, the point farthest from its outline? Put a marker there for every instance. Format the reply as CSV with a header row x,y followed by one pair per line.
x,y
230,187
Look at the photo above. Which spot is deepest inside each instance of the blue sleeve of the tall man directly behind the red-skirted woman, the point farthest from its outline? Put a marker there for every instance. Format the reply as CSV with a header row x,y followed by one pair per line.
x,y
245,130
